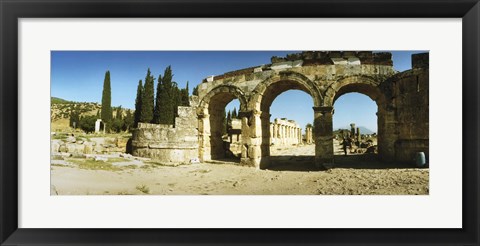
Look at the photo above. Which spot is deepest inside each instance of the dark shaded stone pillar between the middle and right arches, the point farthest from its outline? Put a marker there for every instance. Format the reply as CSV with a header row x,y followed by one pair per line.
x,y
323,136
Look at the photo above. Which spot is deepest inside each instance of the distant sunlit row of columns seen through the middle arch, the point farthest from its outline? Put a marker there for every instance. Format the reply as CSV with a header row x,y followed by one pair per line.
x,y
285,132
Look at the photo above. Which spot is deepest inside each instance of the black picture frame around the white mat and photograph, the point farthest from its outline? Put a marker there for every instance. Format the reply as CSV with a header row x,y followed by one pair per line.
x,y
11,11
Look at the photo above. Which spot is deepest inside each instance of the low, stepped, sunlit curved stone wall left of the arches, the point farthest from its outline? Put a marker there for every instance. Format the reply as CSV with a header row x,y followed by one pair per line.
x,y
168,143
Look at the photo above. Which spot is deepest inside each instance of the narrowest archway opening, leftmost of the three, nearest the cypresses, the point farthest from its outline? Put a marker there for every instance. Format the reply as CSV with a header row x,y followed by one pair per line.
x,y
225,131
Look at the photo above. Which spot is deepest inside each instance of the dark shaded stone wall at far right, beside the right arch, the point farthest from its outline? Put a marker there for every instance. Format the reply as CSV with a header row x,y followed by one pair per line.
x,y
411,97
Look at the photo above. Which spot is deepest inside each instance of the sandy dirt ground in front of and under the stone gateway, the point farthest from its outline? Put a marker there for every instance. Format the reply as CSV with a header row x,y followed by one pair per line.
x,y
292,174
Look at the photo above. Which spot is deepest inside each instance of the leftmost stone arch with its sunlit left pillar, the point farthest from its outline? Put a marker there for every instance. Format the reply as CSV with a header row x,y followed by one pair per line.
x,y
210,114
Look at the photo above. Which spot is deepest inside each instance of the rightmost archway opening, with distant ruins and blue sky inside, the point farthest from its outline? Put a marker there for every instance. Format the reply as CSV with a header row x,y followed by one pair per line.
x,y
356,127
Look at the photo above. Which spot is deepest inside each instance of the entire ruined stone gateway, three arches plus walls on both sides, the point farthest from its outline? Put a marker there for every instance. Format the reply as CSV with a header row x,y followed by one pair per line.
x,y
402,100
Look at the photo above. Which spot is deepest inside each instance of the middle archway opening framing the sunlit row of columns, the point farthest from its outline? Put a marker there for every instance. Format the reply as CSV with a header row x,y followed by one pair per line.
x,y
283,126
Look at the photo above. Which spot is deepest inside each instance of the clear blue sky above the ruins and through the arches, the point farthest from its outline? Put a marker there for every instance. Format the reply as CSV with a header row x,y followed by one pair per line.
x,y
78,76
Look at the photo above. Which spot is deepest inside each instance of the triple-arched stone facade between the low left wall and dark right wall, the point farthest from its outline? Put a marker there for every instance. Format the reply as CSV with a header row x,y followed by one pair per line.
x,y
325,76
